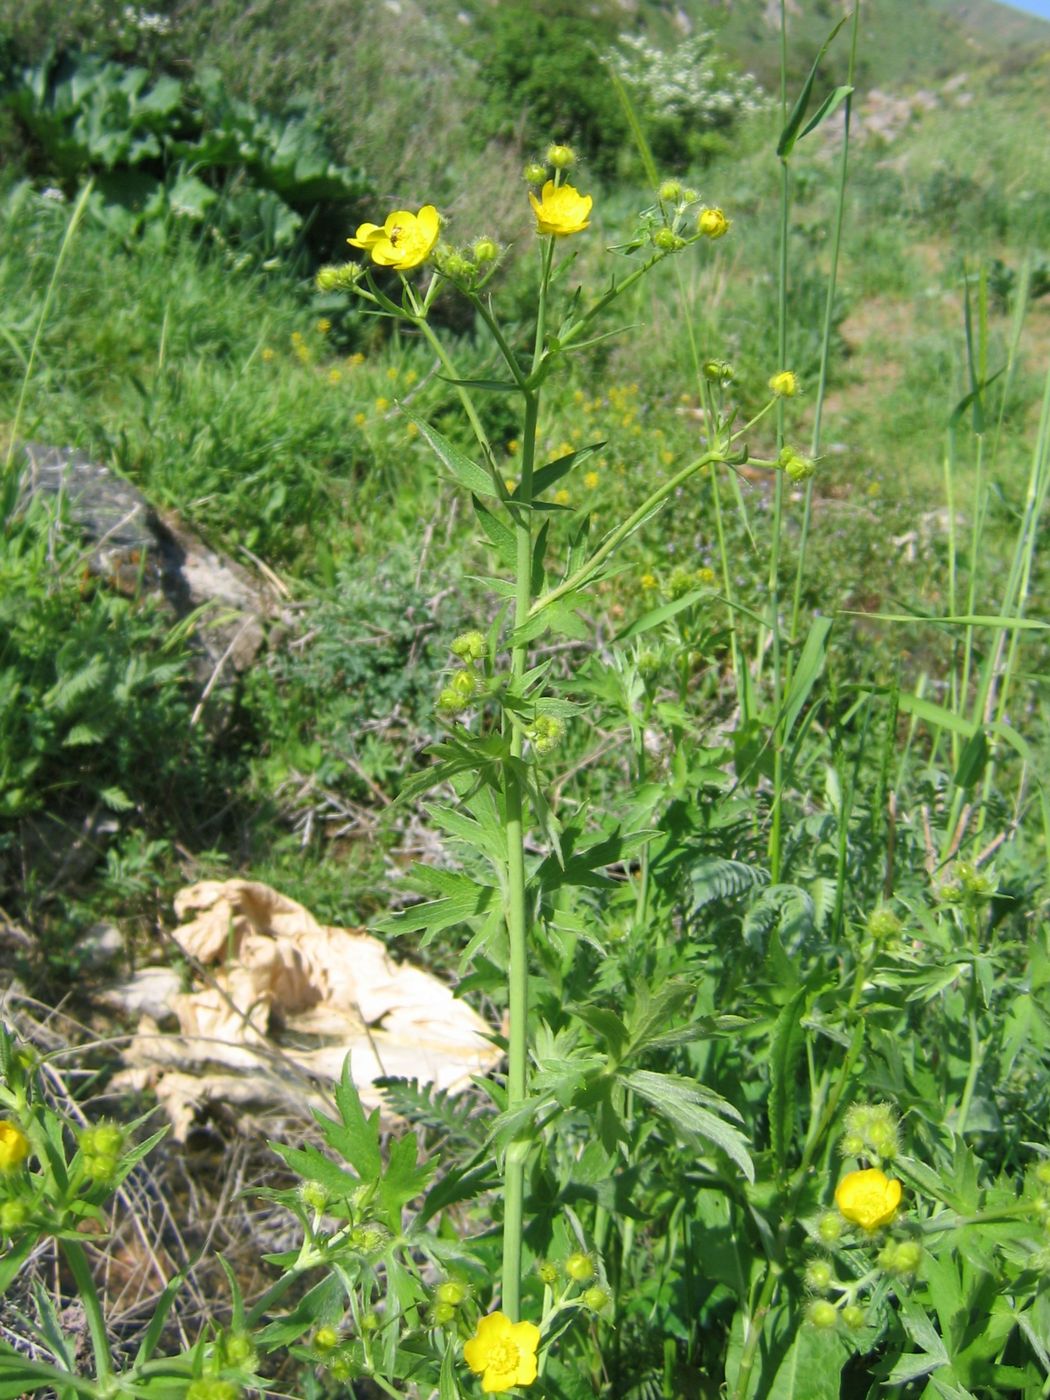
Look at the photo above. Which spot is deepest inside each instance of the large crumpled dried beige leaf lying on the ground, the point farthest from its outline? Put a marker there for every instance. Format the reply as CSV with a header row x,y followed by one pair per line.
x,y
289,1000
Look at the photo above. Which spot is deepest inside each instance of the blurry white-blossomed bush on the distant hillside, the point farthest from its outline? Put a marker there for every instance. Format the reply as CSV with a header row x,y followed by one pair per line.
x,y
694,85
